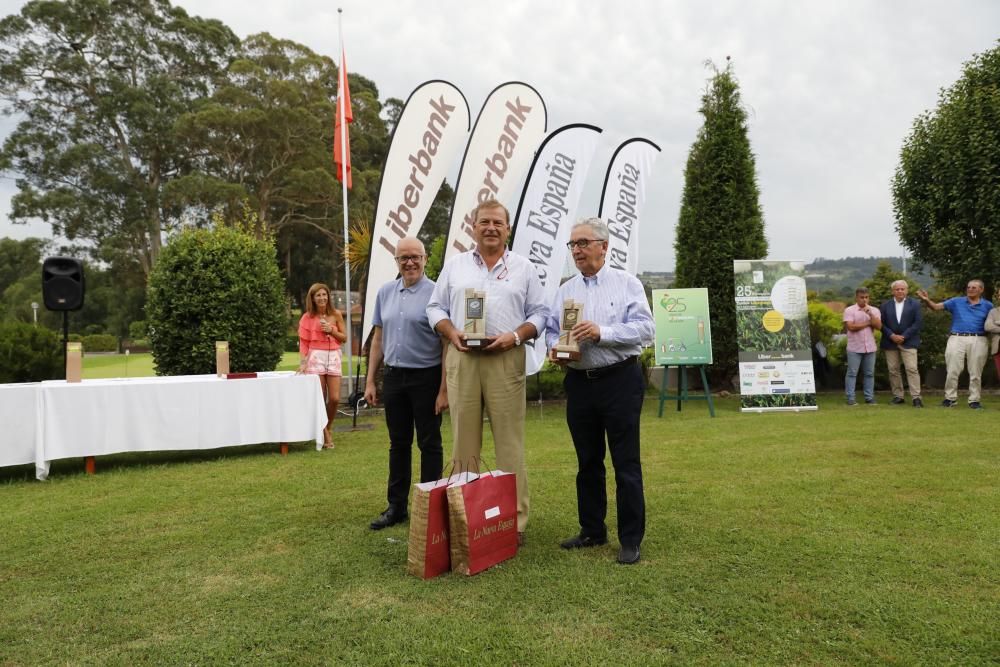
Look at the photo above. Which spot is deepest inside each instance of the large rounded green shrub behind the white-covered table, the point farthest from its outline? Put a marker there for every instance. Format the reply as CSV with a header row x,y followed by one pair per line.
x,y
210,285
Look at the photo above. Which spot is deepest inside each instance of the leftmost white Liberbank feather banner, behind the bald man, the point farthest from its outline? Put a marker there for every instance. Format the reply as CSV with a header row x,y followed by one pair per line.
x,y
429,134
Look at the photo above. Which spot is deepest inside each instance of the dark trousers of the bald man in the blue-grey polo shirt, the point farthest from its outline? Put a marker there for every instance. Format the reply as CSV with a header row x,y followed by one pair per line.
x,y
408,395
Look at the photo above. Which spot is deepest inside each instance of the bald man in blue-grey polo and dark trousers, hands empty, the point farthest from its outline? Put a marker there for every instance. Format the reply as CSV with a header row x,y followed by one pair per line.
x,y
413,387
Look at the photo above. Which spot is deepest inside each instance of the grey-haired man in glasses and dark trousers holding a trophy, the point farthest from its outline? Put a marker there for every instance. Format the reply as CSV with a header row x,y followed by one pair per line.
x,y
596,329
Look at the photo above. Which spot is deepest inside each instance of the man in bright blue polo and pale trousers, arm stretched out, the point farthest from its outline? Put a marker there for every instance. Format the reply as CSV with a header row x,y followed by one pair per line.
x,y
967,346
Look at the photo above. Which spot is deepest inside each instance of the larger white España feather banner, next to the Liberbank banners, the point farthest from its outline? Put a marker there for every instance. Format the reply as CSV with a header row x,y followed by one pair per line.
x,y
548,209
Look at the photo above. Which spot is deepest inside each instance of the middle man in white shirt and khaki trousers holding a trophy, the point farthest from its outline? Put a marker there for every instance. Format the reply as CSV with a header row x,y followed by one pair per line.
x,y
487,303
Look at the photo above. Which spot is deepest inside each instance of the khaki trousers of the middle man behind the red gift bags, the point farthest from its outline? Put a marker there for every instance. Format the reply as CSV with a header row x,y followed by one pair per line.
x,y
496,382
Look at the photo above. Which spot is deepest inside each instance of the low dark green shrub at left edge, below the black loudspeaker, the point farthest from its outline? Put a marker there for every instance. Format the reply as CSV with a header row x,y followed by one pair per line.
x,y
29,353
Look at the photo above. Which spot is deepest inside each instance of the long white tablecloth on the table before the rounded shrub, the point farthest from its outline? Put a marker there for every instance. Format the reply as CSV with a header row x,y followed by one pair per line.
x,y
98,417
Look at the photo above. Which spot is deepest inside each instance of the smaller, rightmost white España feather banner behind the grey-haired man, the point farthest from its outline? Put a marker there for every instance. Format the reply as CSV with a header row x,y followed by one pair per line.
x,y
629,173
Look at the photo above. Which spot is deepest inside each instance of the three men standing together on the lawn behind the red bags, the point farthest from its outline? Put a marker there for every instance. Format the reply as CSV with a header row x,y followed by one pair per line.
x,y
420,339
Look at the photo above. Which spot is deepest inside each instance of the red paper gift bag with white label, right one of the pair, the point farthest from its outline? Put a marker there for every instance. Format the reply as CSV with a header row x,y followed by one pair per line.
x,y
482,517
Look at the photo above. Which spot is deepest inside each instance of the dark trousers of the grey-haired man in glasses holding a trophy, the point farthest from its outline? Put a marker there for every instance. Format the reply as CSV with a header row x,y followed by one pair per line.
x,y
609,405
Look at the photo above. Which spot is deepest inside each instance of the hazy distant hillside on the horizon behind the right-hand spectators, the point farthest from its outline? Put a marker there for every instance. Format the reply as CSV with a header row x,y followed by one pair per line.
x,y
838,276
